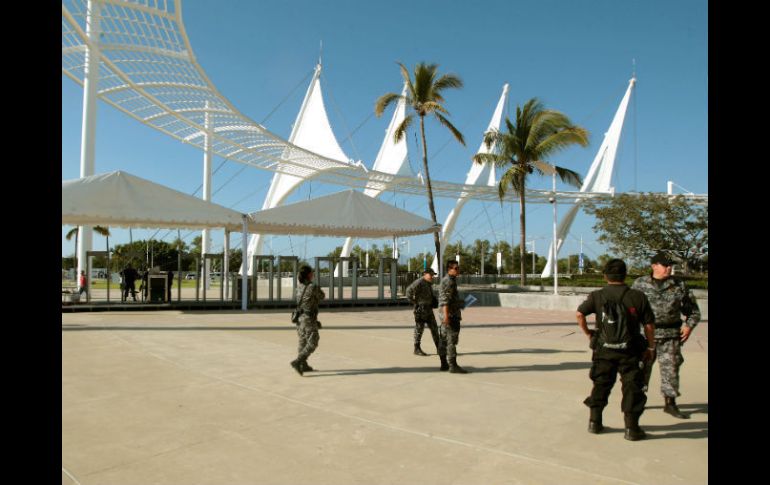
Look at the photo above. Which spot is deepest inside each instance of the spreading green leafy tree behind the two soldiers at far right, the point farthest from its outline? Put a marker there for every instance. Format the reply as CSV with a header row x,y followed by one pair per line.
x,y
638,226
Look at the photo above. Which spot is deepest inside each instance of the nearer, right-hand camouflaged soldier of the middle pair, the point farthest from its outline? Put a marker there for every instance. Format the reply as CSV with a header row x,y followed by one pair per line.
x,y
450,304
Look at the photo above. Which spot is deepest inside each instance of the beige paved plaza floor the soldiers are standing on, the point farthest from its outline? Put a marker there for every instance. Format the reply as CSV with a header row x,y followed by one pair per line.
x,y
209,398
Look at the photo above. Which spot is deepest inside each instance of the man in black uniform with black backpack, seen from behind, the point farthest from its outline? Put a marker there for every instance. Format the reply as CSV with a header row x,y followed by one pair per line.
x,y
609,359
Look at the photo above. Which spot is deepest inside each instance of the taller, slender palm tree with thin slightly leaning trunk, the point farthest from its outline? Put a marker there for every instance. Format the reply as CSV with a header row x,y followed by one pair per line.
x,y
424,96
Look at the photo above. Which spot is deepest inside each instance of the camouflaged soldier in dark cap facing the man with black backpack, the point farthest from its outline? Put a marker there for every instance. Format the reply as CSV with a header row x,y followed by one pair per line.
x,y
670,299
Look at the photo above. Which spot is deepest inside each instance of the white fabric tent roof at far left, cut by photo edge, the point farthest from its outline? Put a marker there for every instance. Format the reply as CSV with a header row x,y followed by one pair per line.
x,y
119,199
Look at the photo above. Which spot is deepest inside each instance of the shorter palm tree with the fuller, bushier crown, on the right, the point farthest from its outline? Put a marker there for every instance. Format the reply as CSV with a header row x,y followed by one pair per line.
x,y
538,133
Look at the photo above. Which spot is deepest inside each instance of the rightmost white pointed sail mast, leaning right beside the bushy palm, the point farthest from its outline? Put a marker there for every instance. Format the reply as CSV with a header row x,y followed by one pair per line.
x,y
599,175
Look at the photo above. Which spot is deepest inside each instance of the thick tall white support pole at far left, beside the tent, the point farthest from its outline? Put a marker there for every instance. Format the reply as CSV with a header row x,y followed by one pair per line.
x,y
88,130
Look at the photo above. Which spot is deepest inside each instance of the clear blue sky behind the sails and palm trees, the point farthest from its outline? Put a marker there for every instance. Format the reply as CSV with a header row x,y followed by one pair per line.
x,y
575,56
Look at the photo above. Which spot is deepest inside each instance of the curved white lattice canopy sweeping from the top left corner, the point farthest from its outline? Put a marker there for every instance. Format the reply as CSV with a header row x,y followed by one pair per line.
x,y
147,69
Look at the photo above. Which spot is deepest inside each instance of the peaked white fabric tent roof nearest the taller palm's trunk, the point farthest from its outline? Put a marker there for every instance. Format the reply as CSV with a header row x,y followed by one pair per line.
x,y
346,213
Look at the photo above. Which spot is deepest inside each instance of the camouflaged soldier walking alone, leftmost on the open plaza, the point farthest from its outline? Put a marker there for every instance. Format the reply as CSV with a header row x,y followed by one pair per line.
x,y
307,295
